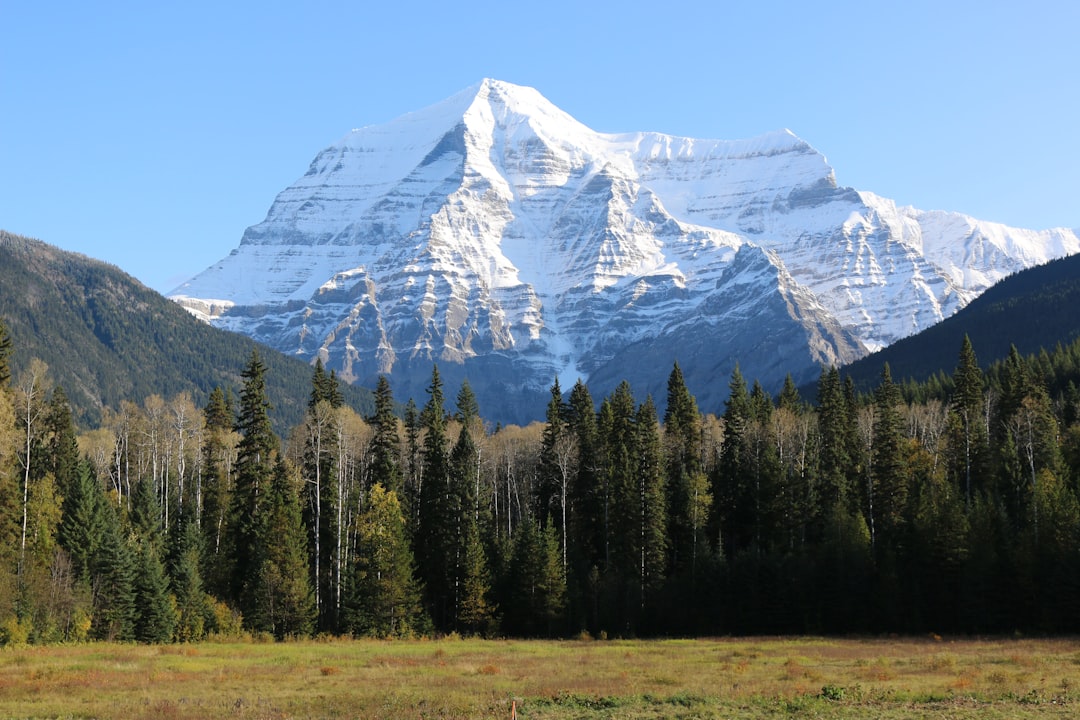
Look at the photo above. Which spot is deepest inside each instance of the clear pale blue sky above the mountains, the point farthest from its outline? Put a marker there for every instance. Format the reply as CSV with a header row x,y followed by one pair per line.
x,y
152,134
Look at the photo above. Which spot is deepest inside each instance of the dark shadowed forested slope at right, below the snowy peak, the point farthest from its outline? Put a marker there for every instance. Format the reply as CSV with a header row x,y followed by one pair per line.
x,y
1035,309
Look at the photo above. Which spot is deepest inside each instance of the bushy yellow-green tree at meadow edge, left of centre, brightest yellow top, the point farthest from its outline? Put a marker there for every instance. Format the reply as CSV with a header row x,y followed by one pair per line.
x,y
385,600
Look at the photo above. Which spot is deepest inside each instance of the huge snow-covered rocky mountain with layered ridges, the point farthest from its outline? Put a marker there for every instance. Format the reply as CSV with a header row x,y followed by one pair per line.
x,y
495,235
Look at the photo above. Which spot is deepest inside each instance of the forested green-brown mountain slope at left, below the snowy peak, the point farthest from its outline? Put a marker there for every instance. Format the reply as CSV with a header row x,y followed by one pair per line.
x,y
107,338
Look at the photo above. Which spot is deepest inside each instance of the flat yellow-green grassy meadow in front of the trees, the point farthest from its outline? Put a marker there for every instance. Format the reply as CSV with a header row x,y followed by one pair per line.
x,y
453,678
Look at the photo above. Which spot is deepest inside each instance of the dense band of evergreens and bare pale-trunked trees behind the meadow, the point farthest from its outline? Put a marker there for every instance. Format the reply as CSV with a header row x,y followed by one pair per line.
x,y
889,511
